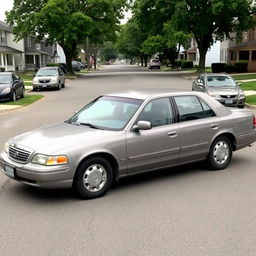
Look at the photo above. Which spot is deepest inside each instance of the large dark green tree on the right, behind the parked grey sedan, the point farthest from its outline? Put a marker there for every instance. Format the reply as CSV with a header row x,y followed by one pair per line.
x,y
212,20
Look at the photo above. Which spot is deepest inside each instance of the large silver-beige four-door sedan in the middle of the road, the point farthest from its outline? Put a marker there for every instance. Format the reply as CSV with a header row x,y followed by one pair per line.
x,y
127,133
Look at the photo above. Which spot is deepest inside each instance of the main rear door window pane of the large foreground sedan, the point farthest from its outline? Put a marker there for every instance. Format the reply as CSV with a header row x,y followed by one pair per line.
x,y
189,108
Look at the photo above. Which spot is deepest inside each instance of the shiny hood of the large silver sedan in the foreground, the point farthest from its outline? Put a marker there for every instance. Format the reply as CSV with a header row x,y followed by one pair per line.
x,y
55,139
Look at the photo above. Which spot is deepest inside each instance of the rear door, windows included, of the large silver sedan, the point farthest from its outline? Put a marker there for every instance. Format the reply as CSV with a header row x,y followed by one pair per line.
x,y
198,125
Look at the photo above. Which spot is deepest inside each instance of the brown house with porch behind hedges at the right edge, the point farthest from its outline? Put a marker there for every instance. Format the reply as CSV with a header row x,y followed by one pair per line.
x,y
232,51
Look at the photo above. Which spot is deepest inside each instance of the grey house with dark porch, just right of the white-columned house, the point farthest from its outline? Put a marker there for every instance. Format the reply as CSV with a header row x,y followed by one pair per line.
x,y
38,54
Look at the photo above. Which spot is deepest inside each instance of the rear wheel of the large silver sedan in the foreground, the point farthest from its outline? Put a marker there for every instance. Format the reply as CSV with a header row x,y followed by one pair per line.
x,y
220,153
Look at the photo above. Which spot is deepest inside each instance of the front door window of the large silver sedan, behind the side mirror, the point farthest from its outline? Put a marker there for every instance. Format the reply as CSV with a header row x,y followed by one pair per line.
x,y
157,112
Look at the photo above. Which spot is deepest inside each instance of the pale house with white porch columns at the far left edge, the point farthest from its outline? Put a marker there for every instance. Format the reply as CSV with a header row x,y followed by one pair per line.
x,y
11,52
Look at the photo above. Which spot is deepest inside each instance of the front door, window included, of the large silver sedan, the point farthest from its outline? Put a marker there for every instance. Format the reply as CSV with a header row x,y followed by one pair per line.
x,y
157,147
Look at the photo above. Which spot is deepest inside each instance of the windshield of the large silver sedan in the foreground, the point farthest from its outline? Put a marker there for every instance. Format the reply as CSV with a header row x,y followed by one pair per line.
x,y
107,113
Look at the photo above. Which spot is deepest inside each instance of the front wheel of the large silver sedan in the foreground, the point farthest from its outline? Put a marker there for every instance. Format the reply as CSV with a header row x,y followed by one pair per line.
x,y
93,178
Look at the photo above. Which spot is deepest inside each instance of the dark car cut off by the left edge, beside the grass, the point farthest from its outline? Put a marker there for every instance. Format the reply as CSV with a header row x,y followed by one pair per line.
x,y
11,86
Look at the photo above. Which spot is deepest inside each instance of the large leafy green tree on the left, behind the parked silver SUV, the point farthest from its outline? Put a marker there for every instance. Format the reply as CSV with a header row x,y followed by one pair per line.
x,y
67,22
